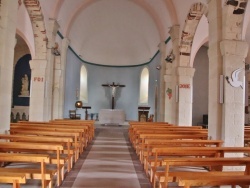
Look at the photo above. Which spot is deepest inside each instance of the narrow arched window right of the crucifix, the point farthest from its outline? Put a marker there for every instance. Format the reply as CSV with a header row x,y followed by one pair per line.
x,y
144,86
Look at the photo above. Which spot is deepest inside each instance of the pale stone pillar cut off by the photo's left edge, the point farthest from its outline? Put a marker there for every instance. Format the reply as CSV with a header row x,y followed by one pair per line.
x,y
8,14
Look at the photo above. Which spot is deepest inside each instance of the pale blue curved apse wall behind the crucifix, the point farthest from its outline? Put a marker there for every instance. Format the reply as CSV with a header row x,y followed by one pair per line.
x,y
99,97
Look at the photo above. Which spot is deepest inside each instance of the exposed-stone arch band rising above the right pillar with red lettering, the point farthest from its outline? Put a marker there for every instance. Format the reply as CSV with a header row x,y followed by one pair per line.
x,y
188,32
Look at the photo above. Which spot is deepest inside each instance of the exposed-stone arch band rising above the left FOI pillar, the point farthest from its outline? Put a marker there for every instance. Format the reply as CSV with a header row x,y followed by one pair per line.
x,y
38,25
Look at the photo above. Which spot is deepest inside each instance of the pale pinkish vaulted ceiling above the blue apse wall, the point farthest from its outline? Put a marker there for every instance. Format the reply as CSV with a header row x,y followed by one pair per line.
x,y
117,32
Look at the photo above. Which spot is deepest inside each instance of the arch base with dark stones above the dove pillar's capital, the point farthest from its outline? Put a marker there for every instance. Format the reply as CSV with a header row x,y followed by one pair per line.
x,y
233,22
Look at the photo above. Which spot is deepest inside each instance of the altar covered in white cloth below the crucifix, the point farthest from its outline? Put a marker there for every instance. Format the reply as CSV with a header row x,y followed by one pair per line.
x,y
111,116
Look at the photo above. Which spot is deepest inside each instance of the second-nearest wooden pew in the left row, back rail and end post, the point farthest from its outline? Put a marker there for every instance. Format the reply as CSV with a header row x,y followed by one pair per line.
x,y
29,158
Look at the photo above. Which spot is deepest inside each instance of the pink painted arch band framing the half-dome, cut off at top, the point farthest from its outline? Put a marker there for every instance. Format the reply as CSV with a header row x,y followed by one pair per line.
x,y
142,4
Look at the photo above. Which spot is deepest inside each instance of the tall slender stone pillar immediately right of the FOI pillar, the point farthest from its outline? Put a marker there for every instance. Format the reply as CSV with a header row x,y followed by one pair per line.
x,y
51,33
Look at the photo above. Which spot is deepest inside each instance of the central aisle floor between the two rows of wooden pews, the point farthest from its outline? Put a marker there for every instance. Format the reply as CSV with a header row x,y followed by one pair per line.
x,y
108,162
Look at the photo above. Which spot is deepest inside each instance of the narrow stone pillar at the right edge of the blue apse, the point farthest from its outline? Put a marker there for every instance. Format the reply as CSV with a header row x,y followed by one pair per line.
x,y
161,101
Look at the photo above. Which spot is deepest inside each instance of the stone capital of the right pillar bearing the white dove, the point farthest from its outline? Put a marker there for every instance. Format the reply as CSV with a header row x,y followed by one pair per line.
x,y
234,47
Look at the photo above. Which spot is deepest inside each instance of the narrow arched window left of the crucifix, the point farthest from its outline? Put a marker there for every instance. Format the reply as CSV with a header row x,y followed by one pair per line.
x,y
84,85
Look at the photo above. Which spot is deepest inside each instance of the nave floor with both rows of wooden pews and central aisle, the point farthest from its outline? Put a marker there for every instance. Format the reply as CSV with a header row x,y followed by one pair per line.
x,y
141,155
